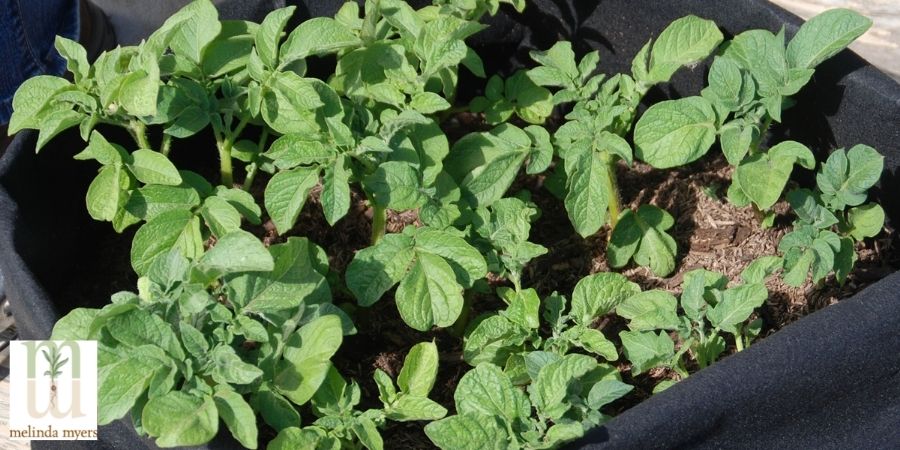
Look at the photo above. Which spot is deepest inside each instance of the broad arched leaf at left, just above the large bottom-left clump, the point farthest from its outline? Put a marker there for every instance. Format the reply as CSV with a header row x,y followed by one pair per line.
x,y
177,228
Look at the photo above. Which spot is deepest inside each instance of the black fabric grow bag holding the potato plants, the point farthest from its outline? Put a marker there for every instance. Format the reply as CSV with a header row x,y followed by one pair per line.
x,y
830,380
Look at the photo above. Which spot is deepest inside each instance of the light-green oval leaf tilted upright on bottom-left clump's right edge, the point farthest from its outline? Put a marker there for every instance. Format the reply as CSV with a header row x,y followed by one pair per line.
x,y
307,355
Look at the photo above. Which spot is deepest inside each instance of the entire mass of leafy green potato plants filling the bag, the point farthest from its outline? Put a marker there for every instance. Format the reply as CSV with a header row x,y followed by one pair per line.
x,y
223,326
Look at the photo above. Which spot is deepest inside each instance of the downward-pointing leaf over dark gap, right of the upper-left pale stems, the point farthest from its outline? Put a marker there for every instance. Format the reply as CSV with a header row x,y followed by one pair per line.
x,y
286,194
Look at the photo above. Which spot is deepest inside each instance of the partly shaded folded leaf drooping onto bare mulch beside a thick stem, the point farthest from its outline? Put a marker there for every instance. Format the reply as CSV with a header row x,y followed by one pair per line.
x,y
642,235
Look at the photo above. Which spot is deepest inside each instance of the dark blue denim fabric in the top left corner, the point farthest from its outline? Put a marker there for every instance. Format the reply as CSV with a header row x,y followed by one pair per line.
x,y
27,31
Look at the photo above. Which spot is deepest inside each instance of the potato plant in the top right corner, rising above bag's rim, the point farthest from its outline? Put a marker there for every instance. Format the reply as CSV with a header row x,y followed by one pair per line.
x,y
749,83
